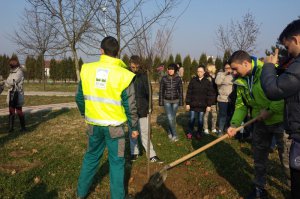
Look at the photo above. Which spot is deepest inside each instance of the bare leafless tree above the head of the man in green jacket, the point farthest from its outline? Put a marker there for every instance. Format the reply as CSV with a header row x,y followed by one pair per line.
x,y
239,35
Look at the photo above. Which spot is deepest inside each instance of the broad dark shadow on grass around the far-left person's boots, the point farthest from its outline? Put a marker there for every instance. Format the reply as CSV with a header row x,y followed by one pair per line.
x,y
32,121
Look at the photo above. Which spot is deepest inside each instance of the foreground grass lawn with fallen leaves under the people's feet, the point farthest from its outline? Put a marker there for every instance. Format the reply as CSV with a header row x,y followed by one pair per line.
x,y
45,162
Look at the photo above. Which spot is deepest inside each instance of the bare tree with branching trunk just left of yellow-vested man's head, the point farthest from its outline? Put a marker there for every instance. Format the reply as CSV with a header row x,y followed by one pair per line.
x,y
74,19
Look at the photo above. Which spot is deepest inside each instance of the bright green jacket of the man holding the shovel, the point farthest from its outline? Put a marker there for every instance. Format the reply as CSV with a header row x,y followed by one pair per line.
x,y
257,100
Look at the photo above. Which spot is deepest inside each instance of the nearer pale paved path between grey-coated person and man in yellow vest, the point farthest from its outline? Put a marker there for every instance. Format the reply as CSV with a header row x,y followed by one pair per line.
x,y
47,107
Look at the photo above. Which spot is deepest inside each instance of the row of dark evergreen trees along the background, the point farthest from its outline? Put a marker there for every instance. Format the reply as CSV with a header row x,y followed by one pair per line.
x,y
64,70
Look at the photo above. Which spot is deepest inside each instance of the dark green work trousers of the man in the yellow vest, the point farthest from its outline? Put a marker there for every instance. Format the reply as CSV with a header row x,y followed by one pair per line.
x,y
99,138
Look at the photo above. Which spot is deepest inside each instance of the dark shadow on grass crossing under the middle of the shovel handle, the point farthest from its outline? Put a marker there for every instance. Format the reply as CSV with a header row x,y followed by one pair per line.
x,y
228,164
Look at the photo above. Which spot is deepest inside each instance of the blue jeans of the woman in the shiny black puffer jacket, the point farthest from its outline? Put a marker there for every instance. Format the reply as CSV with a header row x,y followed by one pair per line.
x,y
171,109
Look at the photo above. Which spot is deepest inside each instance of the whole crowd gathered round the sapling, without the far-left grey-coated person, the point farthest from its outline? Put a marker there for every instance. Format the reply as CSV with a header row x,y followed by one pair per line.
x,y
110,95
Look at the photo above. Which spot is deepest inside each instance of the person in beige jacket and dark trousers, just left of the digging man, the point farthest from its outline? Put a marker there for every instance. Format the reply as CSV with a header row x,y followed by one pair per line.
x,y
225,86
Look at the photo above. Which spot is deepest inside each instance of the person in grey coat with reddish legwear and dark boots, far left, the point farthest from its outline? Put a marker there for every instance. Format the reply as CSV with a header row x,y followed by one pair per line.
x,y
15,94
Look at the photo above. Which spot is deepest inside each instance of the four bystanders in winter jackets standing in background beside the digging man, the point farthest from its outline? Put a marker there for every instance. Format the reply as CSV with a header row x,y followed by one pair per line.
x,y
207,96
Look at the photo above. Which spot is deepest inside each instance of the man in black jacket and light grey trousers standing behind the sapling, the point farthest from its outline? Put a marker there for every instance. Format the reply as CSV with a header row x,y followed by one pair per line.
x,y
141,88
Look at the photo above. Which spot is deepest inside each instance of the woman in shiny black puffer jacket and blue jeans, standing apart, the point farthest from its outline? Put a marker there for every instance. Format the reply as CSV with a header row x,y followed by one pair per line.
x,y
171,96
